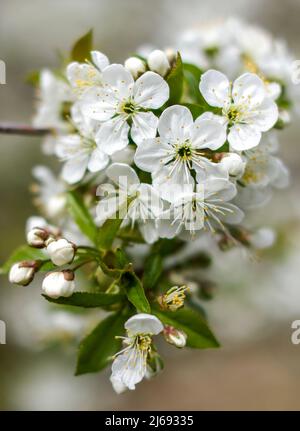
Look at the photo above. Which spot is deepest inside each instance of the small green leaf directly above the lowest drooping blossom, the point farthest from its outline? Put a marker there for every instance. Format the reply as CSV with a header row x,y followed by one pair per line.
x,y
135,292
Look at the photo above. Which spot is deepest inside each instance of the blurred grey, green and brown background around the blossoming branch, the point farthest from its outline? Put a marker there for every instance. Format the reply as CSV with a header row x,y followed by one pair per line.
x,y
258,367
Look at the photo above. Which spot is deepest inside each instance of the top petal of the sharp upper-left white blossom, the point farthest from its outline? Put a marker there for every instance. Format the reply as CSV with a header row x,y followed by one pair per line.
x,y
120,79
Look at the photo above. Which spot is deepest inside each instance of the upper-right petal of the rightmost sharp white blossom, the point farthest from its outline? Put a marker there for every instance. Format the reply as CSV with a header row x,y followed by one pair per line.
x,y
248,89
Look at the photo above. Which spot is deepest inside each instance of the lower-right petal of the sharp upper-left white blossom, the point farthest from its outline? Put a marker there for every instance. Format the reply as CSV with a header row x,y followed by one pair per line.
x,y
144,126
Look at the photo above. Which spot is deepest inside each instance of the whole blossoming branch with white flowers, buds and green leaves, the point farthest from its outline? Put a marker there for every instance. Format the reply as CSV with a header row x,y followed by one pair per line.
x,y
163,157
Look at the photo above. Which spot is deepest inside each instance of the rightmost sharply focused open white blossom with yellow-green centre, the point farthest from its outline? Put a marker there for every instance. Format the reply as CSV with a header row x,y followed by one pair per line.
x,y
247,111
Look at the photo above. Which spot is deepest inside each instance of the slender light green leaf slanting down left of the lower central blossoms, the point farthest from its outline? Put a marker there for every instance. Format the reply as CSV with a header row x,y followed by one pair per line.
x,y
81,215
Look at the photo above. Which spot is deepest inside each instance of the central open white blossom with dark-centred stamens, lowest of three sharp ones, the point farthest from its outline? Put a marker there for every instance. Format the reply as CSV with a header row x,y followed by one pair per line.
x,y
180,148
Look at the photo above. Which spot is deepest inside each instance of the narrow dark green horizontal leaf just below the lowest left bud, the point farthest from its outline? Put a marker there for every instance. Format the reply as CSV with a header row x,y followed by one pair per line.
x,y
87,299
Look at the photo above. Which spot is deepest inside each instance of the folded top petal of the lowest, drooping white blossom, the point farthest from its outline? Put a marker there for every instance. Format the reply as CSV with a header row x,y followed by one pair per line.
x,y
143,324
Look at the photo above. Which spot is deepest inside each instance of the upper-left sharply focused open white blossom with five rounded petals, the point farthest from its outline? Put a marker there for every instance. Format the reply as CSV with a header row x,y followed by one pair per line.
x,y
124,105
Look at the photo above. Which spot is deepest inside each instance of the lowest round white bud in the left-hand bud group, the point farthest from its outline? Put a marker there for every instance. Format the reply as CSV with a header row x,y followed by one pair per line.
x,y
58,284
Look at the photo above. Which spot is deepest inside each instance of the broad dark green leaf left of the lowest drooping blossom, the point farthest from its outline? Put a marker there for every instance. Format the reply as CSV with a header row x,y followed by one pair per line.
x,y
97,349
